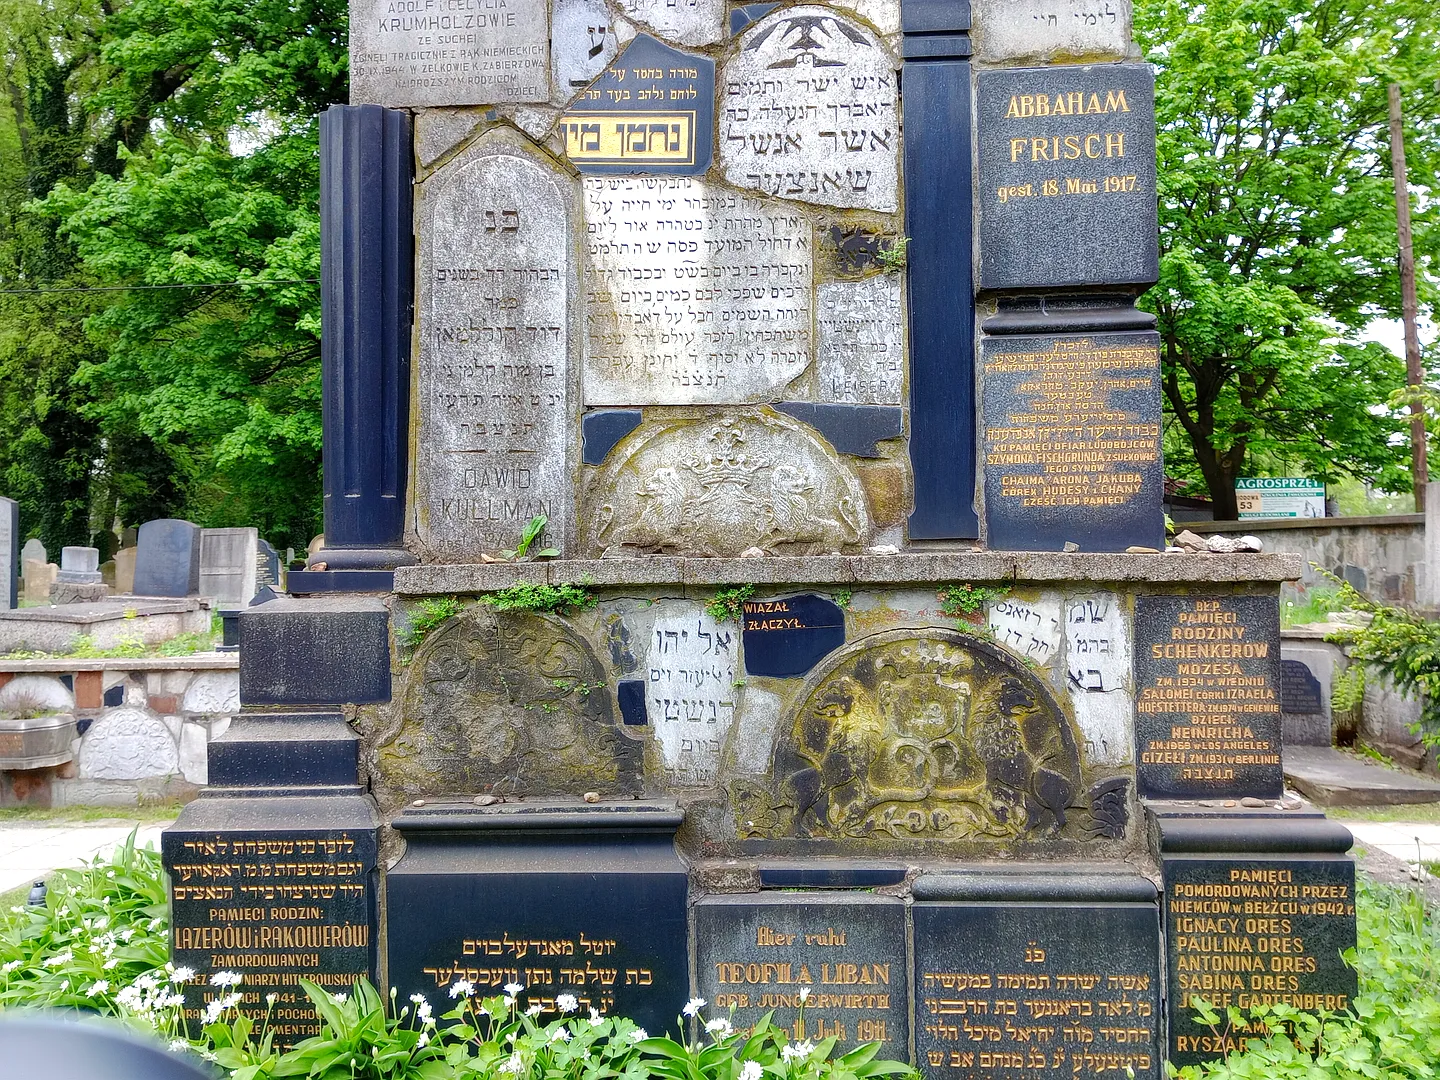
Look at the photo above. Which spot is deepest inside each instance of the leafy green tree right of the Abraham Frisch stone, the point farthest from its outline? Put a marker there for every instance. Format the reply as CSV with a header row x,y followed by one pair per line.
x,y
1278,231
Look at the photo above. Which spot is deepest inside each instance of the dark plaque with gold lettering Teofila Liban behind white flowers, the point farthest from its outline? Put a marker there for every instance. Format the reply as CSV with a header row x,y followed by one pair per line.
x,y
757,954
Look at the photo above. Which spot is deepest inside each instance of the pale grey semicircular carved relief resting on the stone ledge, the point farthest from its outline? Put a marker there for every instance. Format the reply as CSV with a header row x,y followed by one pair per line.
x,y
722,486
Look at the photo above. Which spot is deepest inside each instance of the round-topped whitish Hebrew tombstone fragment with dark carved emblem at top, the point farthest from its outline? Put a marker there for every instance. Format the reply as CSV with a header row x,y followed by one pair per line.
x,y
811,112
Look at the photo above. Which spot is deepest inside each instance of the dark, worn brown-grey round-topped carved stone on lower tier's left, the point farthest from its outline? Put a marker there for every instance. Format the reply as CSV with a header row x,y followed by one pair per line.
x,y
506,703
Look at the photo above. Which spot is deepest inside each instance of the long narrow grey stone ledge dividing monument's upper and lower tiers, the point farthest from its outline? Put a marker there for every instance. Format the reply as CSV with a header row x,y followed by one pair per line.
x,y
869,570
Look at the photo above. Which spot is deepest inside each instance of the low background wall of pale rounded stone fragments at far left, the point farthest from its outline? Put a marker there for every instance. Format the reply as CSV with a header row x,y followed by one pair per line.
x,y
145,726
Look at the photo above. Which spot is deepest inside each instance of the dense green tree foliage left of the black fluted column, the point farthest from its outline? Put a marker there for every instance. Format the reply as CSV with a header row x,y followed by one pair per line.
x,y
165,145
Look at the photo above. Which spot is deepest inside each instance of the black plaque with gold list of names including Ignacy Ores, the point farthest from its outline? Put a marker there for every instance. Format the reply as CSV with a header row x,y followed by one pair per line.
x,y
1255,932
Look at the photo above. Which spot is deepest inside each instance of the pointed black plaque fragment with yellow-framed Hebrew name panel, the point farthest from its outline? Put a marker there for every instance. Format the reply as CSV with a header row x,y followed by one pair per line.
x,y
652,112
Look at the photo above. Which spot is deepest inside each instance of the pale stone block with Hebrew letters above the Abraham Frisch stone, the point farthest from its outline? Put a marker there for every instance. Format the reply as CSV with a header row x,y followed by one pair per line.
x,y
1038,31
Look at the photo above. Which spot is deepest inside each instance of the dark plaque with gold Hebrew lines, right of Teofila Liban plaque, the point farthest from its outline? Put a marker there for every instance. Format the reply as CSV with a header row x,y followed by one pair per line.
x,y
1042,991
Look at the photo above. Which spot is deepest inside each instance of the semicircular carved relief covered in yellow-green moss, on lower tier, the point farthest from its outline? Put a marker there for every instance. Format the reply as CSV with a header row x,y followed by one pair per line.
x,y
921,735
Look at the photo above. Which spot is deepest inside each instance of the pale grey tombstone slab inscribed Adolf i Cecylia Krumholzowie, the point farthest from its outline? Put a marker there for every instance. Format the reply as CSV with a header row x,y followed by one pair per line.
x,y
466,55
